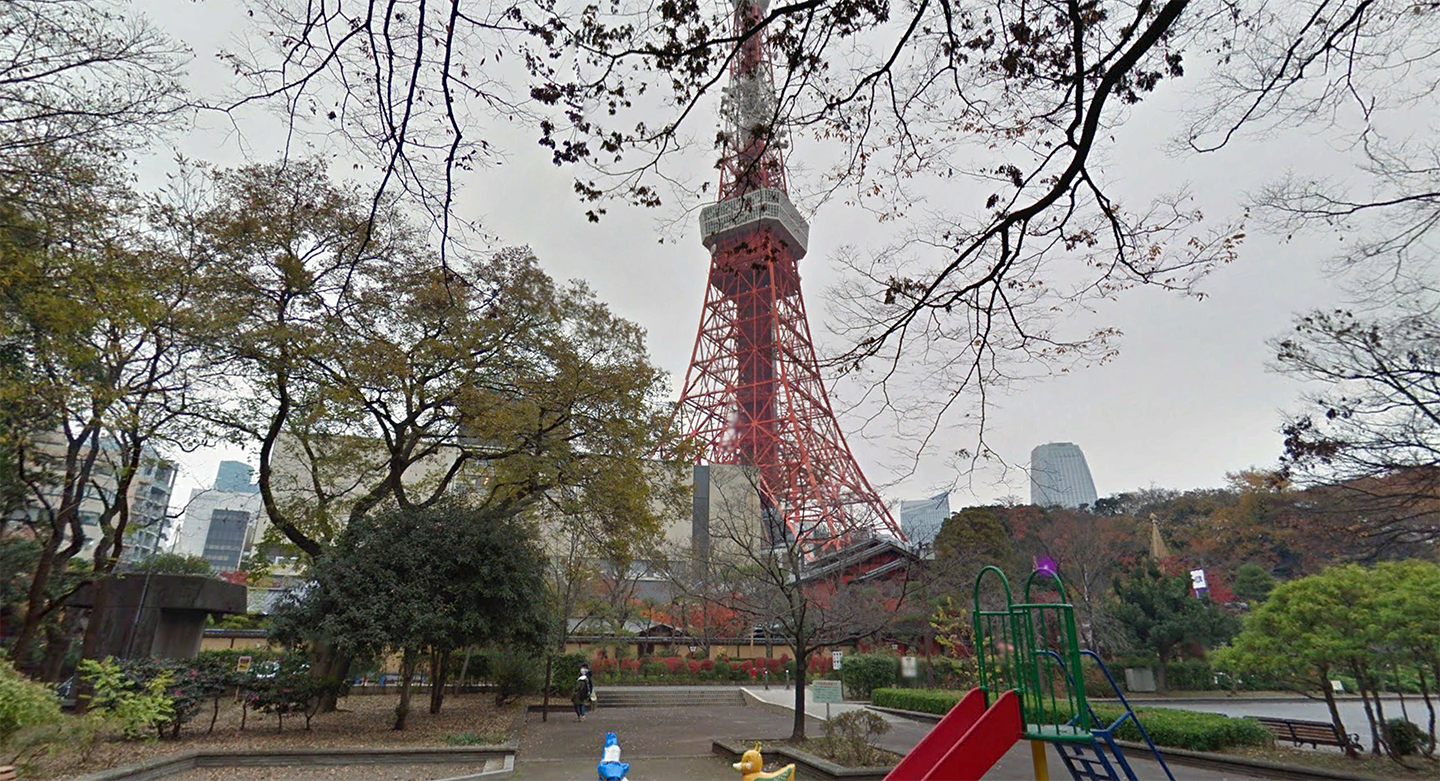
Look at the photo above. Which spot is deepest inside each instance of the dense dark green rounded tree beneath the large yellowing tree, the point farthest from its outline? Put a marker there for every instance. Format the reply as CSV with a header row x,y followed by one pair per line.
x,y
420,581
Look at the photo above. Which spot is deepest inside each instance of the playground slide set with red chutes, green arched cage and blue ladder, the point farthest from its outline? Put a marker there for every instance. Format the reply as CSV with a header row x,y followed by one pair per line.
x,y
1032,688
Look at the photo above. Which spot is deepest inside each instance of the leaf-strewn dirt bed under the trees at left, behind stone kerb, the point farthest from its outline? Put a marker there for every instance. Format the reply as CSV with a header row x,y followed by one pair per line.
x,y
362,721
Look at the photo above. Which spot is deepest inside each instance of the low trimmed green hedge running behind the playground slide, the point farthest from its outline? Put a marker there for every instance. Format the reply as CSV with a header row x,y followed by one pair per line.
x,y
1187,730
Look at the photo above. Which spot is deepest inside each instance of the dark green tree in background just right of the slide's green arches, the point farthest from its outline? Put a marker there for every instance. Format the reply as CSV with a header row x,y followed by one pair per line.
x,y
1163,616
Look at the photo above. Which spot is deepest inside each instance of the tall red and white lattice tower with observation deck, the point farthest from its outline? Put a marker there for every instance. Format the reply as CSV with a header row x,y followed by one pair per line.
x,y
754,393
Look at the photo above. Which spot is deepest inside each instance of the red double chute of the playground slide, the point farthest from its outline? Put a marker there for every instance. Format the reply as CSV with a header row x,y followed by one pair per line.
x,y
967,743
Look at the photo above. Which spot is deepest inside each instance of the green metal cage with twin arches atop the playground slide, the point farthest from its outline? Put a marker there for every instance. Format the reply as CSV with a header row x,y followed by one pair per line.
x,y
1029,648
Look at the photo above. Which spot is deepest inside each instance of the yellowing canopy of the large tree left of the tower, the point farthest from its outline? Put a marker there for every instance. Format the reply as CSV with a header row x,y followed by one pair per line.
x,y
372,374
